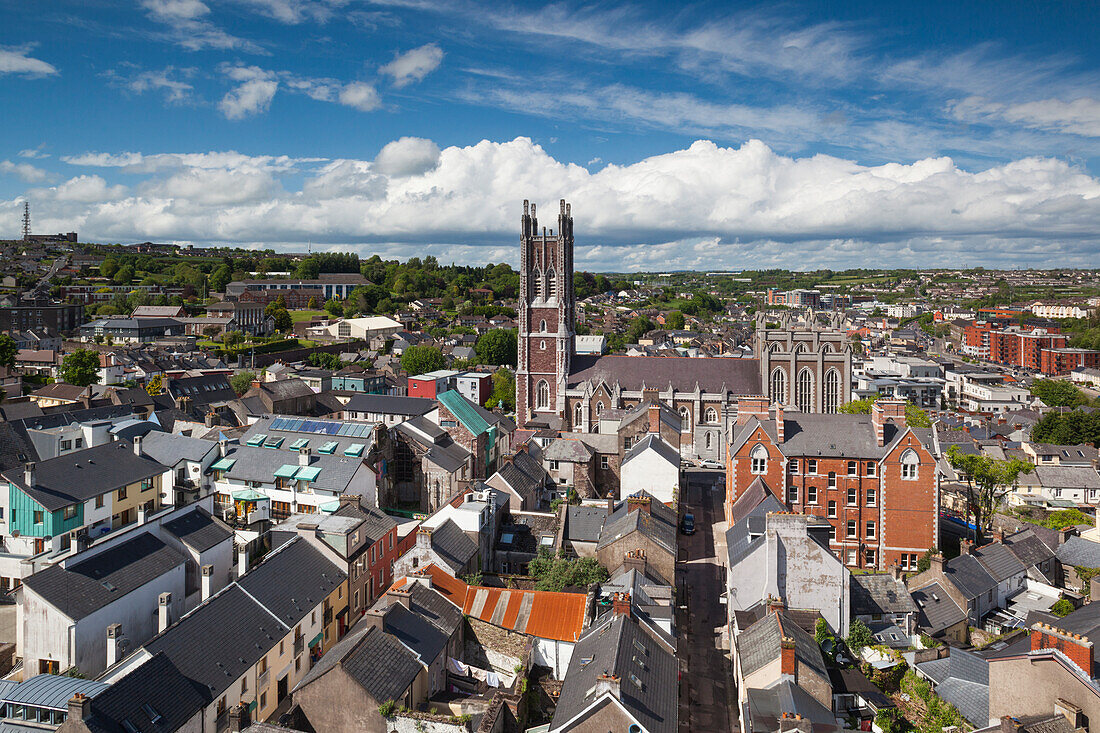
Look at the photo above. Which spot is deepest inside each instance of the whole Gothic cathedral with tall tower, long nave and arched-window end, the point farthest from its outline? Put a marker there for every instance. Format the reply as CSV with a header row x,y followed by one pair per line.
x,y
808,369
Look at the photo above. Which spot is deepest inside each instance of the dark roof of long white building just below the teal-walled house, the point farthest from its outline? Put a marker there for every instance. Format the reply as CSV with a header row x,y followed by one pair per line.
x,y
85,587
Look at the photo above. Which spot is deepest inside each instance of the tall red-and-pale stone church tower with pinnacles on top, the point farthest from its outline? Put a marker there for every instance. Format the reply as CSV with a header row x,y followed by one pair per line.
x,y
546,318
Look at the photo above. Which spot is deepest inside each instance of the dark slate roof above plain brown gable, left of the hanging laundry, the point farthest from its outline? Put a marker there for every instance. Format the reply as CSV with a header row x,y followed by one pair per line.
x,y
377,661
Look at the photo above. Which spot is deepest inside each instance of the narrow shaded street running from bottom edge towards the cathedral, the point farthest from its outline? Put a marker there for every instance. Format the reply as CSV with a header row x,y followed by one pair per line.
x,y
707,692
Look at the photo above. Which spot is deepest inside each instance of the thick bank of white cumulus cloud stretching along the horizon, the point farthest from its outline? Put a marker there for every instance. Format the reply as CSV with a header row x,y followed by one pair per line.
x,y
706,206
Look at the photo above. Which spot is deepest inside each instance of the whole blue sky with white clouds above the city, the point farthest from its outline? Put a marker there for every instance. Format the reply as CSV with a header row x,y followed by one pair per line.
x,y
686,136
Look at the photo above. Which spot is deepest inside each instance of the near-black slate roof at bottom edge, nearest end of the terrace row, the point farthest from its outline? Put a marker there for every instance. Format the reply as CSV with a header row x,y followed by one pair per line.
x,y
157,686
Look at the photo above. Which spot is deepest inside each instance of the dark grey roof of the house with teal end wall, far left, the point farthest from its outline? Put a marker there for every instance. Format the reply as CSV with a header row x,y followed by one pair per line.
x,y
85,475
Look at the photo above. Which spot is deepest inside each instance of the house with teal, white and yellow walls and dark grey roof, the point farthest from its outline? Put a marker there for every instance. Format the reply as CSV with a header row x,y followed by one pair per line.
x,y
52,506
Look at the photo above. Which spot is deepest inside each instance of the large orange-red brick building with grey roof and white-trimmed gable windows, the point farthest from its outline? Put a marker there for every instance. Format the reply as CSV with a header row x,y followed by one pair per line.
x,y
872,477
